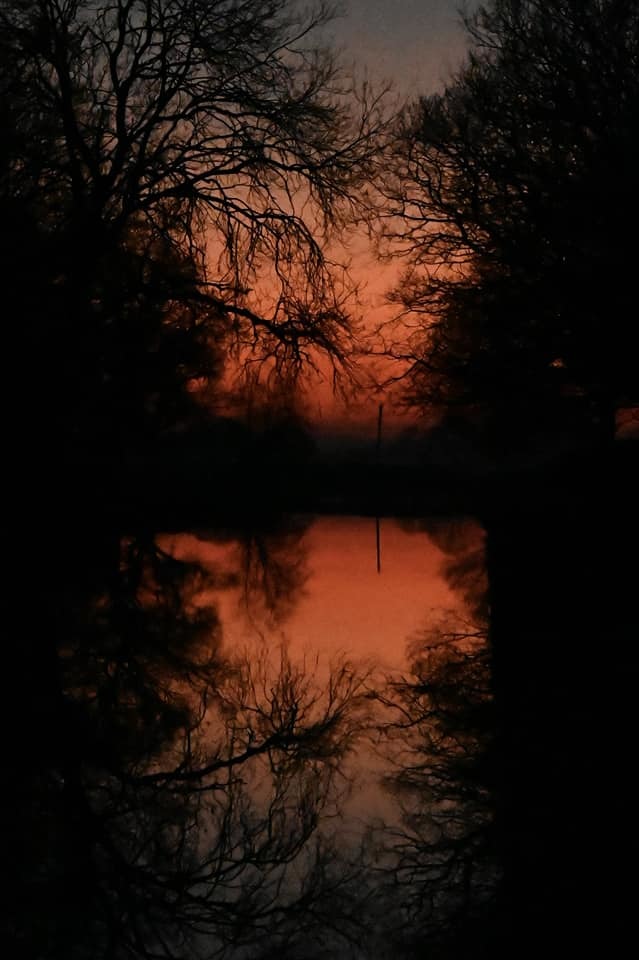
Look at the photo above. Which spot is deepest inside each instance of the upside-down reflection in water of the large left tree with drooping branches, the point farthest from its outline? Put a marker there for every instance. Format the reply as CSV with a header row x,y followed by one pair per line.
x,y
179,800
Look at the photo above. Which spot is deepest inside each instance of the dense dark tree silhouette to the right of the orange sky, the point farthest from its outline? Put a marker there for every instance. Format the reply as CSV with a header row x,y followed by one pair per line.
x,y
515,189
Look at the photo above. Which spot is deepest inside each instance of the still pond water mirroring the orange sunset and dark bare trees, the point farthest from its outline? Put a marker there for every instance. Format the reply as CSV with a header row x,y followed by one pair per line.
x,y
255,743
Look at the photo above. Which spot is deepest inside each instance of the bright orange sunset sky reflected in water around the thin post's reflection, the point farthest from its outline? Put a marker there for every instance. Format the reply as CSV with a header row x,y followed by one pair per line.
x,y
344,606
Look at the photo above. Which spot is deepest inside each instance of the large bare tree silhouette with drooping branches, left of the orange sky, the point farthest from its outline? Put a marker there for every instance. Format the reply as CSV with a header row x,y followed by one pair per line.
x,y
172,174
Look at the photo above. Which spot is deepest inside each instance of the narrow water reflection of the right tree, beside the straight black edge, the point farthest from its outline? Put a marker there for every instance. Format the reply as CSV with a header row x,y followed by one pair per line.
x,y
438,863
